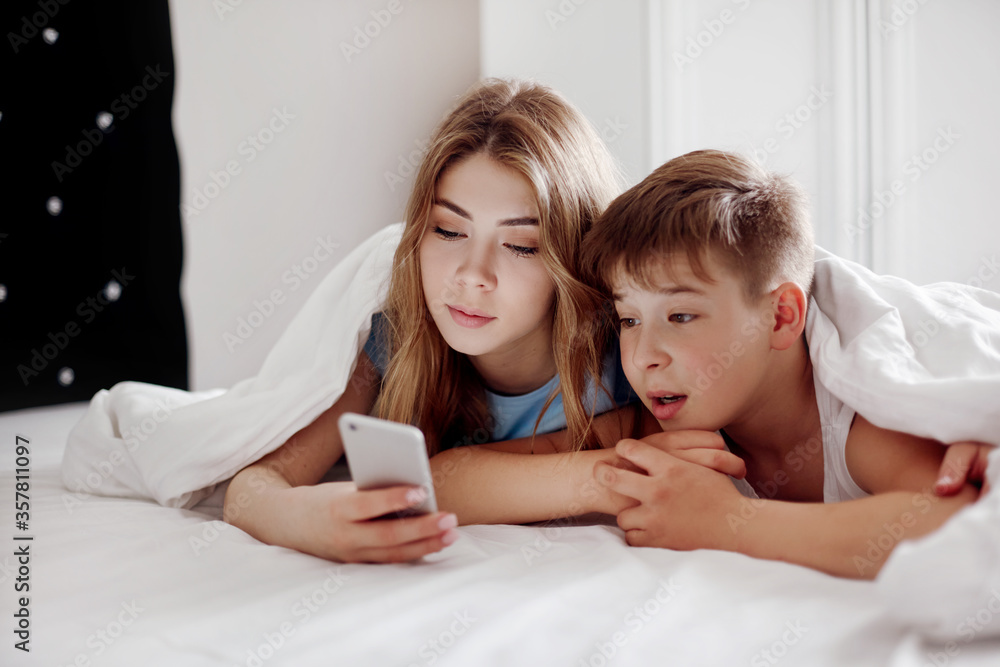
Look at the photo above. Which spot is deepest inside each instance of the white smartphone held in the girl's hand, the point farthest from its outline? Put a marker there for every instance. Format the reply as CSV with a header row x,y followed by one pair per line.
x,y
381,453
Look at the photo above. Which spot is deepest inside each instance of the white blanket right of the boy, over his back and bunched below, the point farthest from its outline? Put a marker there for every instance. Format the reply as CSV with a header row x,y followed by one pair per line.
x,y
924,360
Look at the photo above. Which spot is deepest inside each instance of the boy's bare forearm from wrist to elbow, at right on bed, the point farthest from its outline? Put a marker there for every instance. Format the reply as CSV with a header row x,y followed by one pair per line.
x,y
847,539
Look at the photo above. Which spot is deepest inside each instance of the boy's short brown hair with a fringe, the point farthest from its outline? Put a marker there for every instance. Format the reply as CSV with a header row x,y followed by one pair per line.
x,y
756,221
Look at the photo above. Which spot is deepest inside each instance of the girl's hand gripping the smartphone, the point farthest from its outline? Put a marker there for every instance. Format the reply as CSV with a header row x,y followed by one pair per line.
x,y
339,522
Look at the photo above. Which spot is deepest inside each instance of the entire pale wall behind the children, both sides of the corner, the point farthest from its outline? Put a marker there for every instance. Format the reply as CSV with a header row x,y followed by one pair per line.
x,y
324,174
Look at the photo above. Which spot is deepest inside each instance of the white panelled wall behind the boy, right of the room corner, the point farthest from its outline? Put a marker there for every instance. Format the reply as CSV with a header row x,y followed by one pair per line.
x,y
806,87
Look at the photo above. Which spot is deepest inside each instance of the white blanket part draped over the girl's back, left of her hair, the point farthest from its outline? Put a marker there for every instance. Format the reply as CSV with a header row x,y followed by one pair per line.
x,y
139,440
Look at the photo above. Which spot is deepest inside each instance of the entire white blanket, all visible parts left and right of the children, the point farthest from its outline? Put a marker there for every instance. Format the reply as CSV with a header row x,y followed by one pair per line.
x,y
923,360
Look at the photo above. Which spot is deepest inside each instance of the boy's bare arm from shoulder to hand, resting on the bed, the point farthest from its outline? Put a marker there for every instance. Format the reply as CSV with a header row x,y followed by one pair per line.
x,y
685,506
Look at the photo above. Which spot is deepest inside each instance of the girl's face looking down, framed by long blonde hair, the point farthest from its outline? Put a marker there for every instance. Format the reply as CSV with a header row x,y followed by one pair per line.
x,y
483,277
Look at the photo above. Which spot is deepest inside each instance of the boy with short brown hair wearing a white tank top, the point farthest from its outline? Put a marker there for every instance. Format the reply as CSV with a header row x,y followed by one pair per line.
x,y
710,263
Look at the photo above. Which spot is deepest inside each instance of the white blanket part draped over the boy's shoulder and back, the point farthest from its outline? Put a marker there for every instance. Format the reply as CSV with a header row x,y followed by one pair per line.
x,y
923,360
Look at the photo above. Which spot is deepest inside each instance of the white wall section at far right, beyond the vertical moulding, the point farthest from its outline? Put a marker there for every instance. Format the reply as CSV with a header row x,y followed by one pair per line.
x,y
943,63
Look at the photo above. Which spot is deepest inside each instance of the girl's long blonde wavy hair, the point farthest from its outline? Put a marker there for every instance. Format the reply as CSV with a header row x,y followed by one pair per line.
x,y
533,130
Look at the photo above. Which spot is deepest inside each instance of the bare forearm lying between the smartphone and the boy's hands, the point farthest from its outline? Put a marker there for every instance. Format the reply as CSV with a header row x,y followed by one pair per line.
x,y
481,485
